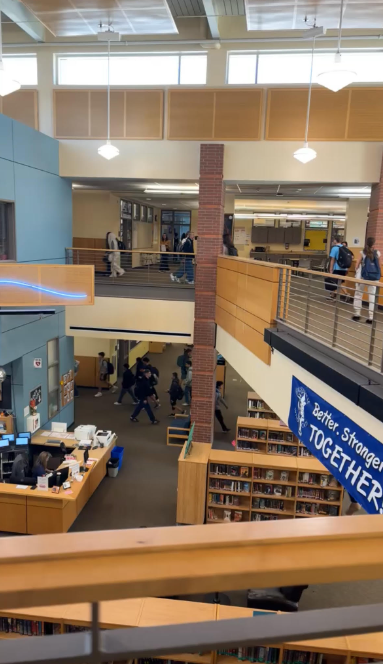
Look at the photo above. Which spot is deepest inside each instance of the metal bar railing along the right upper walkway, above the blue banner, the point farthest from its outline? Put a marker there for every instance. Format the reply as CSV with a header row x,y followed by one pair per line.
x,y
340,312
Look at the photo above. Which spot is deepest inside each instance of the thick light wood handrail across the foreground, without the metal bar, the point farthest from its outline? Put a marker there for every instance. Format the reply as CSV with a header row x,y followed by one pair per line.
x,y
99,566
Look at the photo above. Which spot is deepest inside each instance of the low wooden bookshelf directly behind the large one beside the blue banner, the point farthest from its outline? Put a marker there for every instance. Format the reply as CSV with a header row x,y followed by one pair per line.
x,y
268,436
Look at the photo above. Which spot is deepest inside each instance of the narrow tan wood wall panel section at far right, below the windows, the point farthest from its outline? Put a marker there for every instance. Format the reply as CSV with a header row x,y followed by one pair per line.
x,y
366,115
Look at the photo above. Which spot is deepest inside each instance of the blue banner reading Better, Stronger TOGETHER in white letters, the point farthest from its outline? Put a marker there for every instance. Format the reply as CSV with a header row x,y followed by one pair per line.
x,y
348,452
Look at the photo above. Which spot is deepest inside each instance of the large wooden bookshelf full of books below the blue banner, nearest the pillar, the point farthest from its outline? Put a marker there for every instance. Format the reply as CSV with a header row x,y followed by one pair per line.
x,y
264,487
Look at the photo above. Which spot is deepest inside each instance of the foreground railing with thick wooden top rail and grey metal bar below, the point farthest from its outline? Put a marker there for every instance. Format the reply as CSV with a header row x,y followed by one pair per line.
x,y
100,566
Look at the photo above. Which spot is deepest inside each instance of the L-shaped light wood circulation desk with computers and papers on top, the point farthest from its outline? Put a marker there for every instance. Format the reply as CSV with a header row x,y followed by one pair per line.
x,y
41,512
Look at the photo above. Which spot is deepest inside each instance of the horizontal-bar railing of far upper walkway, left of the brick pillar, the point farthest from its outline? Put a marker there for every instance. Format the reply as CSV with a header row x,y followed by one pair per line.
x,y
138,273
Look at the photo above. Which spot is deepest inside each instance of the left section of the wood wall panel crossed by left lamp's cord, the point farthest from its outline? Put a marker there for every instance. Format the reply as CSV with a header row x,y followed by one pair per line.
x,y
71,113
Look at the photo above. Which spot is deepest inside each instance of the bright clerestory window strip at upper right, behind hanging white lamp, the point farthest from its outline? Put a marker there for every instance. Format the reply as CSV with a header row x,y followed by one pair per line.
x,y
294,68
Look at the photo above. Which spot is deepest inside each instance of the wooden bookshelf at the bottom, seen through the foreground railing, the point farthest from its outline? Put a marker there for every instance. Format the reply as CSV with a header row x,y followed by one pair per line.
x,y
149,612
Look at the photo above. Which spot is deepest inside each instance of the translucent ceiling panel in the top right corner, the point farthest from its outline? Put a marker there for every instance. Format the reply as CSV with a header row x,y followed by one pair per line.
x,y
290,14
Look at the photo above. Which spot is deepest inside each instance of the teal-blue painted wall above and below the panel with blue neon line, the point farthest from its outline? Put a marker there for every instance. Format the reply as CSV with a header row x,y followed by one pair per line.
x,y
29,163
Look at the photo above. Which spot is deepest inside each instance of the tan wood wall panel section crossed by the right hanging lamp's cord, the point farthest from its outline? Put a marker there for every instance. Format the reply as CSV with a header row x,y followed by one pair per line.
x,y
286,114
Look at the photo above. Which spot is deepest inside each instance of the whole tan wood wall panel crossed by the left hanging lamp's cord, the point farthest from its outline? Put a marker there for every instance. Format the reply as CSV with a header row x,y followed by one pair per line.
x,y
134,114
